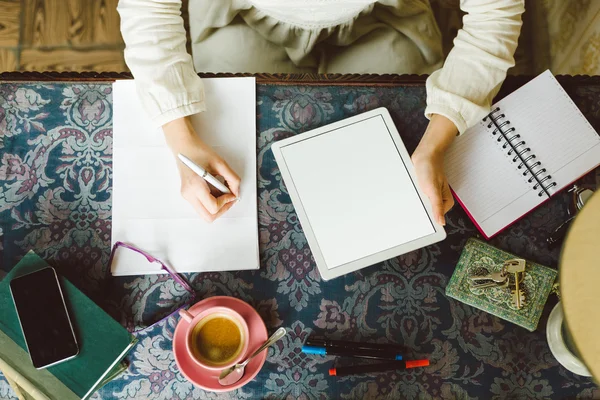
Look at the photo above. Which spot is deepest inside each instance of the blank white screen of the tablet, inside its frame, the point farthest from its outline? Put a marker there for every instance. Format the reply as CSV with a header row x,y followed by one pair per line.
x,y
356,192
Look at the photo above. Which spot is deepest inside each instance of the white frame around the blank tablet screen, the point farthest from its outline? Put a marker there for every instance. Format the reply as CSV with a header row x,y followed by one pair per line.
x,y
326,273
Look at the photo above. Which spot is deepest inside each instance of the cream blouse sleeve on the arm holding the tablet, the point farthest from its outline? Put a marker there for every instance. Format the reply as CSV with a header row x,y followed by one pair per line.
x,y
474,70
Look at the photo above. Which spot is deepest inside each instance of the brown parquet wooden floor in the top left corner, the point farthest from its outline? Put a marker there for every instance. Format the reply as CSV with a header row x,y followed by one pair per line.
x,y
61,35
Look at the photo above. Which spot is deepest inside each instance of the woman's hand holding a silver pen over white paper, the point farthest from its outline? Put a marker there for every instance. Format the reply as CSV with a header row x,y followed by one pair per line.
x,y
208,202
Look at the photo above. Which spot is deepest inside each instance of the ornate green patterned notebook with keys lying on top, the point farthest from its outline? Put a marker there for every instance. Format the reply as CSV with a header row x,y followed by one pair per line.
x,y
477,256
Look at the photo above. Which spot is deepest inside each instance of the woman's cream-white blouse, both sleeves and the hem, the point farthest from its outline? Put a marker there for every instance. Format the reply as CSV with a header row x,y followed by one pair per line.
x,y
462,90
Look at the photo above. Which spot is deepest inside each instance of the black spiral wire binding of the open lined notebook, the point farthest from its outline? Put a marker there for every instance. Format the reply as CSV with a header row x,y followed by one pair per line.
x,y
523,155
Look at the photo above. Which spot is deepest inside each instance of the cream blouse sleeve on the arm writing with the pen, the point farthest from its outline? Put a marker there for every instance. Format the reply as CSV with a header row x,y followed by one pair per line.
x,y
154,35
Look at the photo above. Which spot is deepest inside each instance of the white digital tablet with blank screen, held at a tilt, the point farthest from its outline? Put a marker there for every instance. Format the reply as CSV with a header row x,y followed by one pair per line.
x,y
354,189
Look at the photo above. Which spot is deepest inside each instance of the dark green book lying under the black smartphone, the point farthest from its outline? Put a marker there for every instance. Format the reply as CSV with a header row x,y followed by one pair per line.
x,y
103,342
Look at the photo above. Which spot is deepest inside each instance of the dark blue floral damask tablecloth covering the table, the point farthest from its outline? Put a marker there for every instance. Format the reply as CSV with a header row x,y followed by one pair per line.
x,y
55,198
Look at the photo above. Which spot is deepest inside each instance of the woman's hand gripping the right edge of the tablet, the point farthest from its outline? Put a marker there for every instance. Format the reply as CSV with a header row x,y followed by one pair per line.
x,y
428,160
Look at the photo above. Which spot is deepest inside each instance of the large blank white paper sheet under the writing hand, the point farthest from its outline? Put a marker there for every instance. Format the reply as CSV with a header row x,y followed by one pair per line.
x,y
148,210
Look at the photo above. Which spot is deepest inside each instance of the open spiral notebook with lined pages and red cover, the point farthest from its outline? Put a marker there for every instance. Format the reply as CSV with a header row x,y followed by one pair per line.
x,y
534,143
